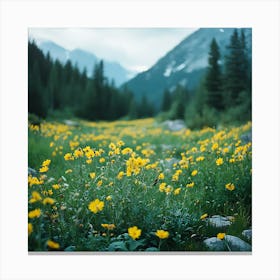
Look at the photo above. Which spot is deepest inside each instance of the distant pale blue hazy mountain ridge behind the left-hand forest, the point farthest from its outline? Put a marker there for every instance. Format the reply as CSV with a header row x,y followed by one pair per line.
x,y
83,59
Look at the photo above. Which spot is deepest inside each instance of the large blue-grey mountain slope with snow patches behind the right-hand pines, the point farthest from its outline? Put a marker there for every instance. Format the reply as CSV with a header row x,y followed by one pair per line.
x,y
185,64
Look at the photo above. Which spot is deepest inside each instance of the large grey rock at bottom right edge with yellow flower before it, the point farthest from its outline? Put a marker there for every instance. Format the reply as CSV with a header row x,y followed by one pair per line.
x,y
230,243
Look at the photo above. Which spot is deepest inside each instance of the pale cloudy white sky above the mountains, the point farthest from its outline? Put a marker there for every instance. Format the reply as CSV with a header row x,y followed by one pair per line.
x,y
134,48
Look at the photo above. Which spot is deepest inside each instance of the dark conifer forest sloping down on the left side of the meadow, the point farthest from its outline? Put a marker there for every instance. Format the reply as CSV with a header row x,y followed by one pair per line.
x,y
54,88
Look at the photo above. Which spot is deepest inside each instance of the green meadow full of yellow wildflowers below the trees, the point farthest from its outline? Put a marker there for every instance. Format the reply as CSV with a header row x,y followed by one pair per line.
x,y
112,186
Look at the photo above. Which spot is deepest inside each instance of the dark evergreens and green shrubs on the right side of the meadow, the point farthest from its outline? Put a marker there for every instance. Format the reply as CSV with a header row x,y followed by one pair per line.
x,y
224,93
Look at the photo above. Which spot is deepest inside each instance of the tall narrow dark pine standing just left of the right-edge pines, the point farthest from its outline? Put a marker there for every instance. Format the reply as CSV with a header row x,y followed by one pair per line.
x,y
213,82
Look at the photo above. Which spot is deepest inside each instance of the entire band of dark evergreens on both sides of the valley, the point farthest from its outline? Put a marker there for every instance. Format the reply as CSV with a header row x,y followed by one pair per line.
x,y
223,95
